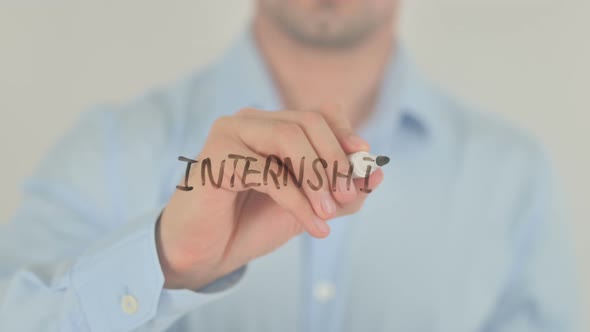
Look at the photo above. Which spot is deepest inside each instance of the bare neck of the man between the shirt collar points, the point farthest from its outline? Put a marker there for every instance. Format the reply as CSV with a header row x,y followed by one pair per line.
x,y
307,77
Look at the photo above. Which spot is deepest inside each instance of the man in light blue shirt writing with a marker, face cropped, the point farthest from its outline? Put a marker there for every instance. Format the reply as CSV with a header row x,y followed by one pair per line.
x,y
459,234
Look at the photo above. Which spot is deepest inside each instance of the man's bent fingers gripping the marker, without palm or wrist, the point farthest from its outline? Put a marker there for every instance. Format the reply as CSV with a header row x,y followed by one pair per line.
x,y
293,135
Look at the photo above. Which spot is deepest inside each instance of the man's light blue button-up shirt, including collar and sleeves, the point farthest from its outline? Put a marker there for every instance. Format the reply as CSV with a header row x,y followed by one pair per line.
x,y
462,235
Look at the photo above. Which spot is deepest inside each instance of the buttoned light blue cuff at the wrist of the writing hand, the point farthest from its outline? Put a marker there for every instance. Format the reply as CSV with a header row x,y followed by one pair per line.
x,y
119,281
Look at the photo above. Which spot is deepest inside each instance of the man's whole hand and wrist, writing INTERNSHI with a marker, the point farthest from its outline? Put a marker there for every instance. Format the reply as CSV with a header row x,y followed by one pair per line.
x,y
209,232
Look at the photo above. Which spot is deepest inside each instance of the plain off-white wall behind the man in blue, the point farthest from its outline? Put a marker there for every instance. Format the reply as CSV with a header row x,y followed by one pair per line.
x,y
527,59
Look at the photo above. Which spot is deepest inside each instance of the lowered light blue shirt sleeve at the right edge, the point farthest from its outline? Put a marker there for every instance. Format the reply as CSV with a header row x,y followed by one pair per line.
x,y
541,292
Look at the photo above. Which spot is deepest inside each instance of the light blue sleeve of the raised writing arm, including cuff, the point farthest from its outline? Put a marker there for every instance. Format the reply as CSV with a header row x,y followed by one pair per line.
x,y
70,260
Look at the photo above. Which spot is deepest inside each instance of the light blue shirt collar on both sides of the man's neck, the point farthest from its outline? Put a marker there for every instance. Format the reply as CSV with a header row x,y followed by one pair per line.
x,y
404,103
